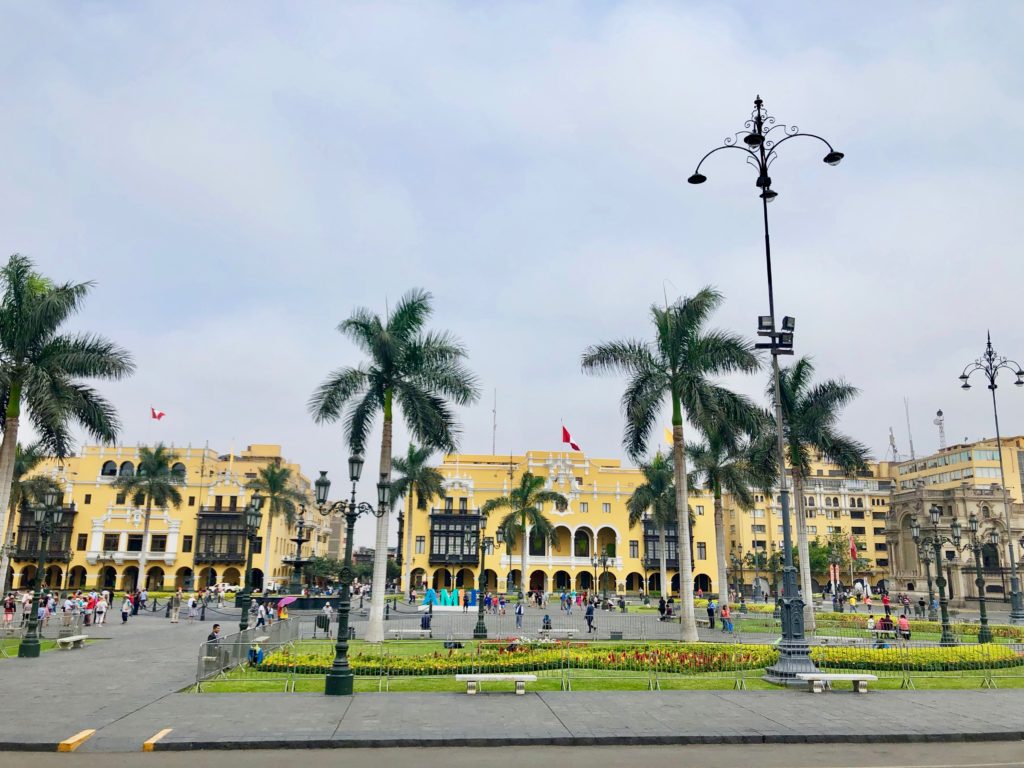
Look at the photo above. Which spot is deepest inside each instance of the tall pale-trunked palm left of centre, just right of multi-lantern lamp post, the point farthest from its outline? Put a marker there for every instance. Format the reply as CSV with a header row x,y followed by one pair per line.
x,y
420,372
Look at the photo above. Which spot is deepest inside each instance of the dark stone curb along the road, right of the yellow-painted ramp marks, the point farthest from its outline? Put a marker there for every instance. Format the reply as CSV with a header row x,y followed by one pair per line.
x,y
612,741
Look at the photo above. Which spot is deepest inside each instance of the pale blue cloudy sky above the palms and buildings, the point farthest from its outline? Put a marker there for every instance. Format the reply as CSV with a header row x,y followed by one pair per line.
x,y
238,178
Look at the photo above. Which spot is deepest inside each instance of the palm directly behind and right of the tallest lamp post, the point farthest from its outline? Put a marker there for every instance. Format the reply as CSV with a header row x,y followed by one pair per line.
x,y
809,416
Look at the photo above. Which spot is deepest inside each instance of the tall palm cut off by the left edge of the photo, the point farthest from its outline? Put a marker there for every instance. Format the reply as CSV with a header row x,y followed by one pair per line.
x,y
44,369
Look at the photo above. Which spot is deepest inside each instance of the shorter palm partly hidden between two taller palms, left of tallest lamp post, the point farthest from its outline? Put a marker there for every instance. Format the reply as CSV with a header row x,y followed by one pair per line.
x,y
720,467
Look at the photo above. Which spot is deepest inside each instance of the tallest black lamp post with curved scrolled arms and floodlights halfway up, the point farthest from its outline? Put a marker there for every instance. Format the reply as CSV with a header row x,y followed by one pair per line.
x,y
760,148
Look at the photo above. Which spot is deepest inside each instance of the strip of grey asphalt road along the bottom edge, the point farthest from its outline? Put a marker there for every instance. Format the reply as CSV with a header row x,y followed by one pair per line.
x,y
979,755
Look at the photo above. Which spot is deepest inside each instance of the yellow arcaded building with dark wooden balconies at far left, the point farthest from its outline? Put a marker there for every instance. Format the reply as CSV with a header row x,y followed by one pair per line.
x,y
201,543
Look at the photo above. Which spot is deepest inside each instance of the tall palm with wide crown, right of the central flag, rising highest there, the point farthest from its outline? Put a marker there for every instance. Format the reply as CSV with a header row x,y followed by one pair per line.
x,y
676,366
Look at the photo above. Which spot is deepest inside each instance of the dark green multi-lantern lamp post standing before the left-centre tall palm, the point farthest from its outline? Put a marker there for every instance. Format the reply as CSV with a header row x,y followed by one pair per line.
x,y
339,677
